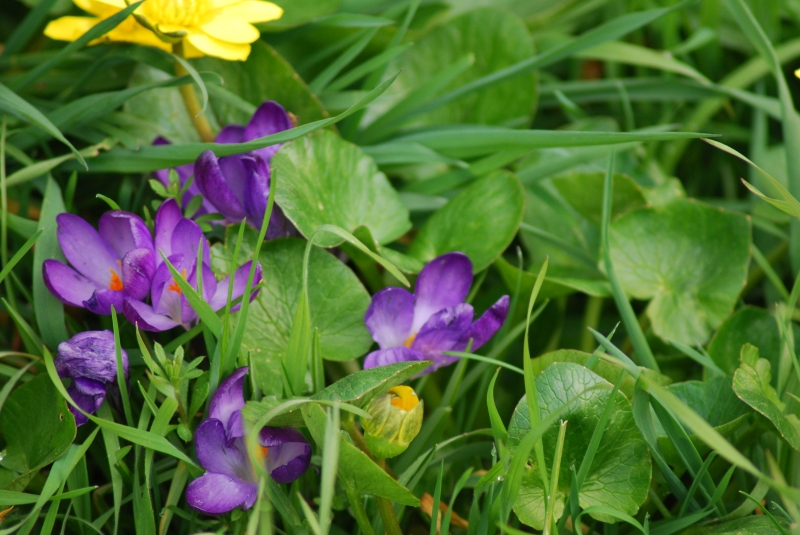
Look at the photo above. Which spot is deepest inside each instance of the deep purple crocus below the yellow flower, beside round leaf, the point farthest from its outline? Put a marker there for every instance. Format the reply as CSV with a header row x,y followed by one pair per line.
x,y
238,186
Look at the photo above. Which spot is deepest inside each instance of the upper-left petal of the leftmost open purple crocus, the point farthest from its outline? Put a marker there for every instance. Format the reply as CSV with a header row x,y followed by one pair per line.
x,y
88,253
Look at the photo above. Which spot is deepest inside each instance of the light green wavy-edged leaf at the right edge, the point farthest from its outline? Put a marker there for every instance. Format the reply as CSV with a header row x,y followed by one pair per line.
x,y
751,382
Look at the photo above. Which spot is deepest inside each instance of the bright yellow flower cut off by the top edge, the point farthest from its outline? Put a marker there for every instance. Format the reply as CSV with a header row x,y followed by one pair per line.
x,y
220,28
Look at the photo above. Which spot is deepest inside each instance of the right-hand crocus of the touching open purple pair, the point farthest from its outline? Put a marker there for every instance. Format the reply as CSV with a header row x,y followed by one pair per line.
x,y
178,238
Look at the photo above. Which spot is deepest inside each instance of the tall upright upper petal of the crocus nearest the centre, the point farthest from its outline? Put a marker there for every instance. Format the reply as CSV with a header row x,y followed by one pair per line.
x,y
443,283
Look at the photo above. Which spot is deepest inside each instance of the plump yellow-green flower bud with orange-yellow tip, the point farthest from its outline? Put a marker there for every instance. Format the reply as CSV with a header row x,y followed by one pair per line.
x,y
396,421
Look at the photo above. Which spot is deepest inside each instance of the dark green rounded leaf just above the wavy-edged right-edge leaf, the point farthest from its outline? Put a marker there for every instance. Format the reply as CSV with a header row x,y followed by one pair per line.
x,y
747,325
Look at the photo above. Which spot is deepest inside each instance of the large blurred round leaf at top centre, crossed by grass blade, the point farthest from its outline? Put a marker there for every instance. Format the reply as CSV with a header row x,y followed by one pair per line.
x,y
497,39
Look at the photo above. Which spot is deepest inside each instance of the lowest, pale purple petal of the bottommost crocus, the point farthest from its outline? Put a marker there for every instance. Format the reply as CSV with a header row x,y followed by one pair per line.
x,y
217,494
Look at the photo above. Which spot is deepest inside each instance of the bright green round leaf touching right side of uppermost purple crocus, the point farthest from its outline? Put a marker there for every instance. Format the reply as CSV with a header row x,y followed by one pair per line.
x,y
321,179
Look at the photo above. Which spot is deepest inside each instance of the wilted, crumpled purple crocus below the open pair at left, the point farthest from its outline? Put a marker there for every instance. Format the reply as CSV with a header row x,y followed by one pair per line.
x,y
89,359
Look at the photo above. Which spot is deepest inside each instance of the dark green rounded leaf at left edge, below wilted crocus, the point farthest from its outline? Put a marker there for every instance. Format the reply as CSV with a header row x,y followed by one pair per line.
x,y
37,426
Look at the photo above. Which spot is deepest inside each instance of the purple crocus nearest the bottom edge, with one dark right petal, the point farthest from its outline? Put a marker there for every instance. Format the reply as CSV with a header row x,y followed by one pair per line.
x,y
230,480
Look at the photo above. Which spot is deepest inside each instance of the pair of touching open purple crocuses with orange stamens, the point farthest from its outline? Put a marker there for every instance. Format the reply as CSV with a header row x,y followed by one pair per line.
x,y
121,265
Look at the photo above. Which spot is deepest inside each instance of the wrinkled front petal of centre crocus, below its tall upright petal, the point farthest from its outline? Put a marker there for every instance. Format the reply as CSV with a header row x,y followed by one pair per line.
x,y
444,331
